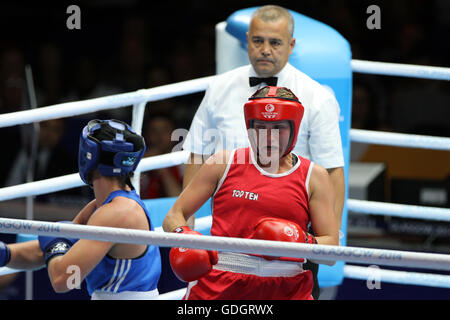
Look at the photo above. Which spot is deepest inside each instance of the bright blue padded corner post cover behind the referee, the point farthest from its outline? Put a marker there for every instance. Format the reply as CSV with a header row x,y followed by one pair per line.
x,y
324,55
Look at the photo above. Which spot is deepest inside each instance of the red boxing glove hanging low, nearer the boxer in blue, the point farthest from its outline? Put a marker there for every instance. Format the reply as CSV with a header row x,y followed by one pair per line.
x,y
191,264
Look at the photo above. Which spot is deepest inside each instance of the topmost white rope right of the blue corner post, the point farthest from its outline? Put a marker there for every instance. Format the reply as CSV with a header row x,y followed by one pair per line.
x,y
402,70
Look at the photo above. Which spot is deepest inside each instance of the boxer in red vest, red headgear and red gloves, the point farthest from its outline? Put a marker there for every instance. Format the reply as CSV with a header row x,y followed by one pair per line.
x,y
262,192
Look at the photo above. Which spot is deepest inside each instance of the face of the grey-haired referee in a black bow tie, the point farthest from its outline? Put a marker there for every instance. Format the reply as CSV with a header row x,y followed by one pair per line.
x,y
269,46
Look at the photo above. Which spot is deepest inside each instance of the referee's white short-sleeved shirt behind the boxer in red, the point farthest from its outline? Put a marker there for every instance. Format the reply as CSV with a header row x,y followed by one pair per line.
x,y
219,121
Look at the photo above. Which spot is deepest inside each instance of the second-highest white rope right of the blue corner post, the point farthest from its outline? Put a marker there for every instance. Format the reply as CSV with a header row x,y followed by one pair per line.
x,y
399,139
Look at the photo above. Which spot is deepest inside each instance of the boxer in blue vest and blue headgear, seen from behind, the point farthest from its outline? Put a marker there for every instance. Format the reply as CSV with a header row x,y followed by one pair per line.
x,y
109,153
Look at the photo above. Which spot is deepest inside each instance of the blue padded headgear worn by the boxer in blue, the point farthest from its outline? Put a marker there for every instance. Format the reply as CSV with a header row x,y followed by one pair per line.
x,y
115,157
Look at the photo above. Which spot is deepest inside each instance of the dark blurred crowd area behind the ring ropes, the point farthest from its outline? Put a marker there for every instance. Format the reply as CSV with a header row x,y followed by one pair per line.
x,y
124,46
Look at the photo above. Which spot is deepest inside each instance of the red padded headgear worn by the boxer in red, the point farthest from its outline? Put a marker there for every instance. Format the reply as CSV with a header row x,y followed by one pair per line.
x,y
272,108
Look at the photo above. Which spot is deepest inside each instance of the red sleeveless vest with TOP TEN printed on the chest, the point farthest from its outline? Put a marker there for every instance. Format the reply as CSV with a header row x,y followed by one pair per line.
x,y
246,194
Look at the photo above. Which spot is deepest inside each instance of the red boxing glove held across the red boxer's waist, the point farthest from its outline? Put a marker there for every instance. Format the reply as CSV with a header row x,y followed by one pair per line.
x,y
282,230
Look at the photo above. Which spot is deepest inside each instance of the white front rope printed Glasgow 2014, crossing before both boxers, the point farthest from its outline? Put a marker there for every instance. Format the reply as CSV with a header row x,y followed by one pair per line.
x,y
263,247
